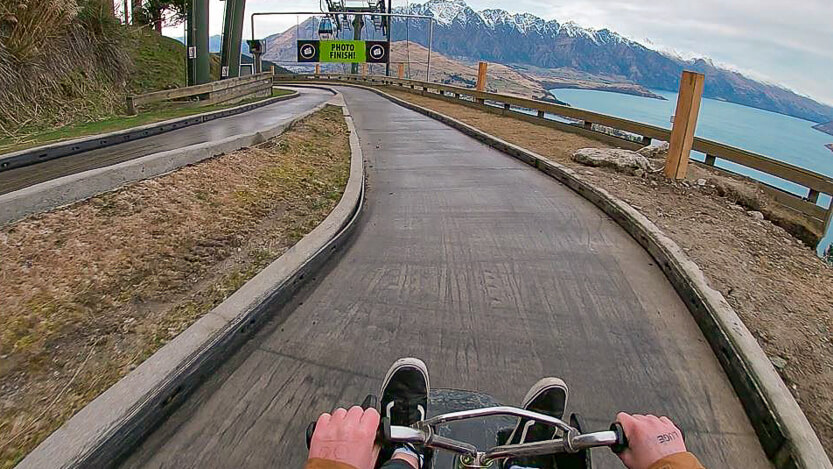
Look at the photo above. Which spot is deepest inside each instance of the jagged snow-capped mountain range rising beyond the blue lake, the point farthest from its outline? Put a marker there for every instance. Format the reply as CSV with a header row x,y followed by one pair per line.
x,y
499,36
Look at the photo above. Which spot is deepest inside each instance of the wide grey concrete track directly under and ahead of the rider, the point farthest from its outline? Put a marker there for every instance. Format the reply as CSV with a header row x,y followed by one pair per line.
x,y
491,272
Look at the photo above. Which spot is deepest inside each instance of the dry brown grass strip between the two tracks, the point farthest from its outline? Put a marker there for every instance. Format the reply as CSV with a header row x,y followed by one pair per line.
x,y
87,292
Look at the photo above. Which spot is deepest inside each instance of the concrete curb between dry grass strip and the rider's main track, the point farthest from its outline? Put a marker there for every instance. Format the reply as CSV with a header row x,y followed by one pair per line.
x,y
107,428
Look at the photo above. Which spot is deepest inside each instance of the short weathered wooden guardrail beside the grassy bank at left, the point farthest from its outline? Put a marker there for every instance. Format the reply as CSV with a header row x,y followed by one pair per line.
x,y
214,92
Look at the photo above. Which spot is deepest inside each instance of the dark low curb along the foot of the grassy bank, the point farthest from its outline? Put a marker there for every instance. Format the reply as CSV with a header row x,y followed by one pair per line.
x,y
43,153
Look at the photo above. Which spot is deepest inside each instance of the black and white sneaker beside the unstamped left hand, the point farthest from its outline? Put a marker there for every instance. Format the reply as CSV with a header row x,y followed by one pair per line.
x,y
404,399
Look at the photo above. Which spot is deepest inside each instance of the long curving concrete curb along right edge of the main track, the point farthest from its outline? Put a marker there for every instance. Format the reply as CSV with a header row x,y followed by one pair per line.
x,y
783,430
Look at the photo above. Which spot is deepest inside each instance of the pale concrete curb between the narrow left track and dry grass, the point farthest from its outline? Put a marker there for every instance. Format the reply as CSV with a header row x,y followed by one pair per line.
x,y
75,187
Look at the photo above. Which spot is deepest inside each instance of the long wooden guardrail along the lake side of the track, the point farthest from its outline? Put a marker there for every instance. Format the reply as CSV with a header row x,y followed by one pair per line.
x,y
643,134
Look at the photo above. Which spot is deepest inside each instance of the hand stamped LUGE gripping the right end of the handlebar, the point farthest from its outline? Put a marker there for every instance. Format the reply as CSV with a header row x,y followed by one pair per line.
x,y
649,439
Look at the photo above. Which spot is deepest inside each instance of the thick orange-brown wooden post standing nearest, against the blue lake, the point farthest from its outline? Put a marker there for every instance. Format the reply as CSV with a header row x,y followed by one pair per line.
x,y
685,123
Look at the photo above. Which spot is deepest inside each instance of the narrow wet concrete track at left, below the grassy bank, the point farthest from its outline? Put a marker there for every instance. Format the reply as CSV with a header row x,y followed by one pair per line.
x,y
214,130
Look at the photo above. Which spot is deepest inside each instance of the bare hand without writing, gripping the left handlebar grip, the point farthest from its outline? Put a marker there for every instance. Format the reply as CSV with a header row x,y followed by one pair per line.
x,y
347,437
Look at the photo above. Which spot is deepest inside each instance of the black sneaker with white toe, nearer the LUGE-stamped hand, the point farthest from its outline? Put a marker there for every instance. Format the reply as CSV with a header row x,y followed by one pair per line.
x,y
549,397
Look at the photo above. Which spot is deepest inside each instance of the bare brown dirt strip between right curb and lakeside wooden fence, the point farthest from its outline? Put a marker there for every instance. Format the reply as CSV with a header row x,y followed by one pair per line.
x,y
776,283
